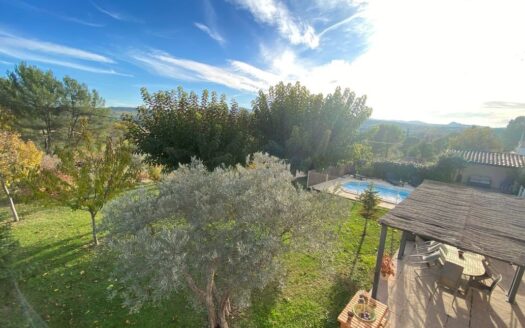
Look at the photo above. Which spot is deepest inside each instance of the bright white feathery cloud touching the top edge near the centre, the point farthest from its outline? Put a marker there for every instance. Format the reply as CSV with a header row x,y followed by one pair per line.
x,y
275,13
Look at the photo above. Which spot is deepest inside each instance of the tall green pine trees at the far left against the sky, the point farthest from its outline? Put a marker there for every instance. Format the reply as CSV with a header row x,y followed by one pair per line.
x,y
50,111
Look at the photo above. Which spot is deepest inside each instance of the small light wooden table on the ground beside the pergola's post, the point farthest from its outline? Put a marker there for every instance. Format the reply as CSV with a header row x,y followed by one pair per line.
x,y
381,312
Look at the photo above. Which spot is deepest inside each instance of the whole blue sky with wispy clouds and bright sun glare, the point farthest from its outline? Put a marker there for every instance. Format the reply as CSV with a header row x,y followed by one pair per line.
x,y
422,62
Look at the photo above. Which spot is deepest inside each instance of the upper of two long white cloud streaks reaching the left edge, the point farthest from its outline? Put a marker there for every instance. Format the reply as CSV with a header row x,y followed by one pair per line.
x,y
11,41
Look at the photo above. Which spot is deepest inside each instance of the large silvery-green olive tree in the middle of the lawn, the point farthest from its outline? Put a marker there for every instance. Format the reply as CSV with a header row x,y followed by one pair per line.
x,y
215,234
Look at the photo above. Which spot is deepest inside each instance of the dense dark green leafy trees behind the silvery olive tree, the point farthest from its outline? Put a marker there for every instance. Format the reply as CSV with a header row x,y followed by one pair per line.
x,y
288,121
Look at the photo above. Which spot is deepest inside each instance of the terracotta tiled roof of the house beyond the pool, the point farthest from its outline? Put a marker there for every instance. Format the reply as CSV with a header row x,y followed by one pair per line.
x,y
492,158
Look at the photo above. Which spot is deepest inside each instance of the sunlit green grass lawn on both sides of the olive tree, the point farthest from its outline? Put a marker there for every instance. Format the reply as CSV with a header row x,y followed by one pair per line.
x,y
66,284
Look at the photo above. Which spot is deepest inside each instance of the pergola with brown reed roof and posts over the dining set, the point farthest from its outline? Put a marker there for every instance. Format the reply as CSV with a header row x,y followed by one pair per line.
x,y
480,221
